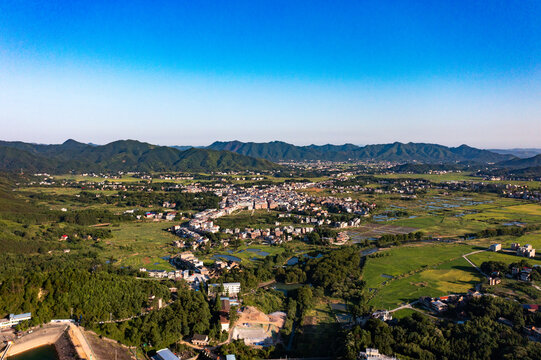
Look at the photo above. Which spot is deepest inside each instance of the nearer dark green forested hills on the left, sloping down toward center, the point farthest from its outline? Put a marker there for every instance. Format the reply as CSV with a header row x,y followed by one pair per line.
x,y
123,155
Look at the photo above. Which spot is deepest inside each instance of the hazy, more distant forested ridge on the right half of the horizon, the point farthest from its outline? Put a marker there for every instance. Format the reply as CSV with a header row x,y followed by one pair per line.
x,y
399,152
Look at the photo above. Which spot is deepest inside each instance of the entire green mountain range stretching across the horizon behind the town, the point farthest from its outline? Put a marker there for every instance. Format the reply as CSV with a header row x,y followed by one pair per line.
x,y
131,155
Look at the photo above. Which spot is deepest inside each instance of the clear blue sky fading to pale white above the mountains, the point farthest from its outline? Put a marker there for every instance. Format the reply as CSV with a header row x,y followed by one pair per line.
x,y
191,72
